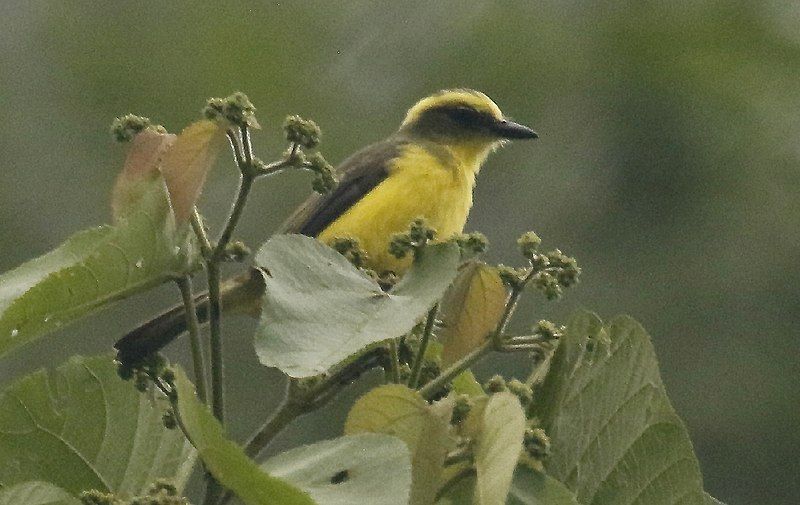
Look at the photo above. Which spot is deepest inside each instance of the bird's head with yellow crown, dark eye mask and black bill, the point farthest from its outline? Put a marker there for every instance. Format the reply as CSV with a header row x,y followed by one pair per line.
x,y
462,117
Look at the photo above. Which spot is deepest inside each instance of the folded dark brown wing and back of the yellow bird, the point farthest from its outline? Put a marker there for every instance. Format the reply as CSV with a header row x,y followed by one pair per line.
x,y
358,175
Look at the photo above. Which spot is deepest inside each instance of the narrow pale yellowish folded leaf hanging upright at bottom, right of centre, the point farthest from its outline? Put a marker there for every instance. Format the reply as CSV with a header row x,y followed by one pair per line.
x,y
499,443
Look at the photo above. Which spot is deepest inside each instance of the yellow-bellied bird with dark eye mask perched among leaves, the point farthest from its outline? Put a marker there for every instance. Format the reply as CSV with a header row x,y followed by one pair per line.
x,y
427,169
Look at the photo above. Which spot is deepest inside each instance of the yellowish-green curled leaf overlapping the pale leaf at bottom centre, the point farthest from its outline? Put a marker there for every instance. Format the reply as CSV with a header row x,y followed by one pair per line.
x,y
399,411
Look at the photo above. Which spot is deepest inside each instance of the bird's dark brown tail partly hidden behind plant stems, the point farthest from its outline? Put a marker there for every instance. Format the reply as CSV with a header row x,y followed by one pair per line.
x,y
239,295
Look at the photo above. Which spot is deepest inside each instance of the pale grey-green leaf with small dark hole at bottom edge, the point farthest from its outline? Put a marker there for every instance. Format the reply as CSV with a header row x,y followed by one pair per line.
x,y
368,468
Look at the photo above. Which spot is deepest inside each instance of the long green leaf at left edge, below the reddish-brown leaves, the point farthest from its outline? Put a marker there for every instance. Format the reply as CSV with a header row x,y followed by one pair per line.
x,y
93,268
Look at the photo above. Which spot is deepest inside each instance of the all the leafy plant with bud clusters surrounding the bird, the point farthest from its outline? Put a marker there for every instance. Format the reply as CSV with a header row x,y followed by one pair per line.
x,y
591,424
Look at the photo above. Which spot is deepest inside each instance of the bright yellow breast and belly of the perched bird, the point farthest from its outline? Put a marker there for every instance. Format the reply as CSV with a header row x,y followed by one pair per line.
x,y
432,183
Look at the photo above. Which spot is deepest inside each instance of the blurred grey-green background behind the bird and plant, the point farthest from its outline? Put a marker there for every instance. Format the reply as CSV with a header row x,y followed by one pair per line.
x,y
667,164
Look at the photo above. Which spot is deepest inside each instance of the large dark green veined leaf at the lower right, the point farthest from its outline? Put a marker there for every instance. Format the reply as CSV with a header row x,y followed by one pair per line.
x,y
615,437
